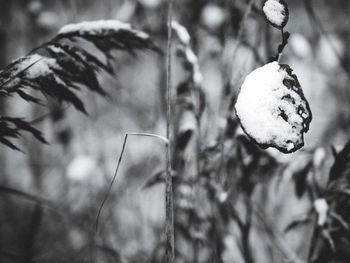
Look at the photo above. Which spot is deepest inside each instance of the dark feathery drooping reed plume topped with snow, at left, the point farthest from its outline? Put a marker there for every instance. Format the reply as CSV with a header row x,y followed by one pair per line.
x,y
65,68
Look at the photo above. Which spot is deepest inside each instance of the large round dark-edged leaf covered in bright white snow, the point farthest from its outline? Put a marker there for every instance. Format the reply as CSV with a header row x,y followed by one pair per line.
x,y
272,108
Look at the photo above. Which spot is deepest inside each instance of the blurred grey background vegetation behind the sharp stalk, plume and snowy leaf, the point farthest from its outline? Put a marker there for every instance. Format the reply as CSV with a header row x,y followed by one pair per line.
x,y
238,205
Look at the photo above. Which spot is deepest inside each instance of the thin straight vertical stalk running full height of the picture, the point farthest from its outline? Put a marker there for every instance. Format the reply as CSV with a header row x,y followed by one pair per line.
x,y
169,207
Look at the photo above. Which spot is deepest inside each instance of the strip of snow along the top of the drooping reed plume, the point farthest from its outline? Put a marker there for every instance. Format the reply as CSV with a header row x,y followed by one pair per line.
x,y
99,27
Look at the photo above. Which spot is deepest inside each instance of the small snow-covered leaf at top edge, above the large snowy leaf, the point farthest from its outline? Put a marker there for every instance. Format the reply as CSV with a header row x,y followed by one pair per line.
x,y
276,12
